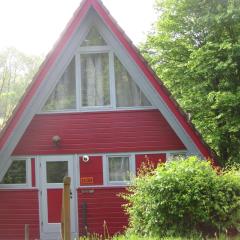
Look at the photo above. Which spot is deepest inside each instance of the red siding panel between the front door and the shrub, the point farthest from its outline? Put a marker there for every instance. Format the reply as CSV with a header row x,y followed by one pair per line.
x,y
102,204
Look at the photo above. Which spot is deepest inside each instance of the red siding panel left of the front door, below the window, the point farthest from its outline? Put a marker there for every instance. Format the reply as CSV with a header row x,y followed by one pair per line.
x,y
18,207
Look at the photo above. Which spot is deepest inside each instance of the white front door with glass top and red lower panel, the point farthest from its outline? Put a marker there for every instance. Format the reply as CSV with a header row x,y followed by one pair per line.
x,y
52,171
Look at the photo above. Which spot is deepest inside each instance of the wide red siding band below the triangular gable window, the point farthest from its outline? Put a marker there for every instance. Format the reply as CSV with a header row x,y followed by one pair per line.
x,y
98,132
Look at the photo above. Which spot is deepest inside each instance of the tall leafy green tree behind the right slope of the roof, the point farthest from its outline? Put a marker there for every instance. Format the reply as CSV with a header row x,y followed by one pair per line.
x,y
195,50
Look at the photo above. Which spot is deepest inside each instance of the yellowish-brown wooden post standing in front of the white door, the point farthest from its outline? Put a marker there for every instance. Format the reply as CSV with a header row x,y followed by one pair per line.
x,y
65,219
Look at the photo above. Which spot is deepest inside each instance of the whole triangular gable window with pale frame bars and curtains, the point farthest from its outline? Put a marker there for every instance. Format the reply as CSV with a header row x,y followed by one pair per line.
x,y
89,80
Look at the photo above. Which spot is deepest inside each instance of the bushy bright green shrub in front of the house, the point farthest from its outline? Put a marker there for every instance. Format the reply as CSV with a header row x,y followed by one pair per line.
x,y
183,197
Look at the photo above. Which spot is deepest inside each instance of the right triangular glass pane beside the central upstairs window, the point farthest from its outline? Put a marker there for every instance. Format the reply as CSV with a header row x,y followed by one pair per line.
x,y
127,91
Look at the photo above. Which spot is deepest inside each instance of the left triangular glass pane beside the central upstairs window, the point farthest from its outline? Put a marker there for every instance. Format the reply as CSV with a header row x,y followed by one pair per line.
x,y
64,95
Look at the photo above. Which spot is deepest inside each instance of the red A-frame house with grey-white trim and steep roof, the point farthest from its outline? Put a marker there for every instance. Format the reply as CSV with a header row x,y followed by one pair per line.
x,y
95,111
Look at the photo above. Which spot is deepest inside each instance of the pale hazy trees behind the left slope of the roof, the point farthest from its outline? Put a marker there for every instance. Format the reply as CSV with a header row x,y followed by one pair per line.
x,y
16,72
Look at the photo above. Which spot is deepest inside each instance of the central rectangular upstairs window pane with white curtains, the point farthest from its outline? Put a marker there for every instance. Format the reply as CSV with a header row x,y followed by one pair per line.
x,y
95,79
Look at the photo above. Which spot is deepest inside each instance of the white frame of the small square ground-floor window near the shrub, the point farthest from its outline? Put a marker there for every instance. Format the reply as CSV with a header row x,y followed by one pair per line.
x,y
132,169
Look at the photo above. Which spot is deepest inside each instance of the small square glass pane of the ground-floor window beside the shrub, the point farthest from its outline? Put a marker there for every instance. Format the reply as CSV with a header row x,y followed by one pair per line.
x,y
119,169
